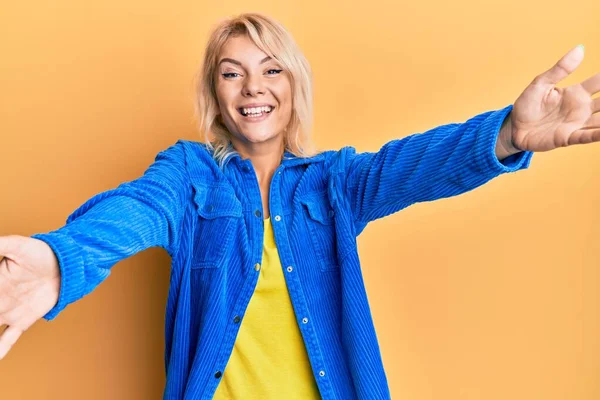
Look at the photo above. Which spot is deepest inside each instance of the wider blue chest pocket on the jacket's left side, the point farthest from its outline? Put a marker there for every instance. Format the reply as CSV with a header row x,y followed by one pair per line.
x,y
219,213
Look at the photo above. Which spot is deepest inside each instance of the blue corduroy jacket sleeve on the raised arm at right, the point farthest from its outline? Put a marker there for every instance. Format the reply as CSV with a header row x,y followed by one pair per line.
x,y
442,162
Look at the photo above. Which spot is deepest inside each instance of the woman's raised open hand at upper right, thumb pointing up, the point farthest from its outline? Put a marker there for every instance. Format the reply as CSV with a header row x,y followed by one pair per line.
x,y
545,117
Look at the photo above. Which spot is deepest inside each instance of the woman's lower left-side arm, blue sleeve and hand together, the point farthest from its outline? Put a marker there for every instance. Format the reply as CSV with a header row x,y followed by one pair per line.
x,y
42,274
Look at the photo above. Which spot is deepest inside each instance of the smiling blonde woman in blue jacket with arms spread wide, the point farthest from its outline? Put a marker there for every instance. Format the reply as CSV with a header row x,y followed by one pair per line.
x,y
266,295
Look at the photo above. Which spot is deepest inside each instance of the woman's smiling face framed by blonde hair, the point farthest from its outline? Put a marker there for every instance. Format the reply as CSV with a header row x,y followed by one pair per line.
x,y
254,93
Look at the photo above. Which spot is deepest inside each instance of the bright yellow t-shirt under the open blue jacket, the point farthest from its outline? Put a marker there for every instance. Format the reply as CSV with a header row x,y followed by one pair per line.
x,y
269,359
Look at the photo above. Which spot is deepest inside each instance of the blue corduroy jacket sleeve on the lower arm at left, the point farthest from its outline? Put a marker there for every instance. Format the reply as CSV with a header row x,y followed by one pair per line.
x,y
119,223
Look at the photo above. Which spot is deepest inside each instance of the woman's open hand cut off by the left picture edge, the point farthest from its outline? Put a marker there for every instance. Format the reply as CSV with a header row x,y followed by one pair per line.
x,y
29,285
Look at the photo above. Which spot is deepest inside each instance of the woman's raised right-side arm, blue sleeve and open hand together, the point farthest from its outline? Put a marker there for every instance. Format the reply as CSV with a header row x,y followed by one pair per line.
x,y
456,158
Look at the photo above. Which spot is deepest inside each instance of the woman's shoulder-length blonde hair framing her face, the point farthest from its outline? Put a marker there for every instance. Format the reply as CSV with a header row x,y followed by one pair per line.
x,y
275,41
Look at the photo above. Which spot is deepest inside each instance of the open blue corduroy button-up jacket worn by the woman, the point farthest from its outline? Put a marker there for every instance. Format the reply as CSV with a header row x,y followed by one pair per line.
x,y
210,221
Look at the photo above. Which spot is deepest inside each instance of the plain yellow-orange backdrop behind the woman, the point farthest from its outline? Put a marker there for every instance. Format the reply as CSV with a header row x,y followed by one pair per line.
x,y
493,294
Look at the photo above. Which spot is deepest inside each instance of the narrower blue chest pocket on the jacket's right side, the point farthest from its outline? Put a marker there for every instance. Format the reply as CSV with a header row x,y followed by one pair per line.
x,y
321,225
